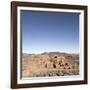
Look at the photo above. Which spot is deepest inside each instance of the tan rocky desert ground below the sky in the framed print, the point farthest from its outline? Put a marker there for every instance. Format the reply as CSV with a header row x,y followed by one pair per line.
x,y
49,64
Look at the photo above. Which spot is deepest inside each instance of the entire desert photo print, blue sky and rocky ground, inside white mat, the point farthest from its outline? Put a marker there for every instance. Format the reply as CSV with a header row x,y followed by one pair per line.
x,y
50,44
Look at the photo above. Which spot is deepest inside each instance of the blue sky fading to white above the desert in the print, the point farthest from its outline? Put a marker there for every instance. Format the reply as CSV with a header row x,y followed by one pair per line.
x,y
49,32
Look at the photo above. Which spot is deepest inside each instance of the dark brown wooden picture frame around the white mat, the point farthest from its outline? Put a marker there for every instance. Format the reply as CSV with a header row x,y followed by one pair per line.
x,y
14,43
